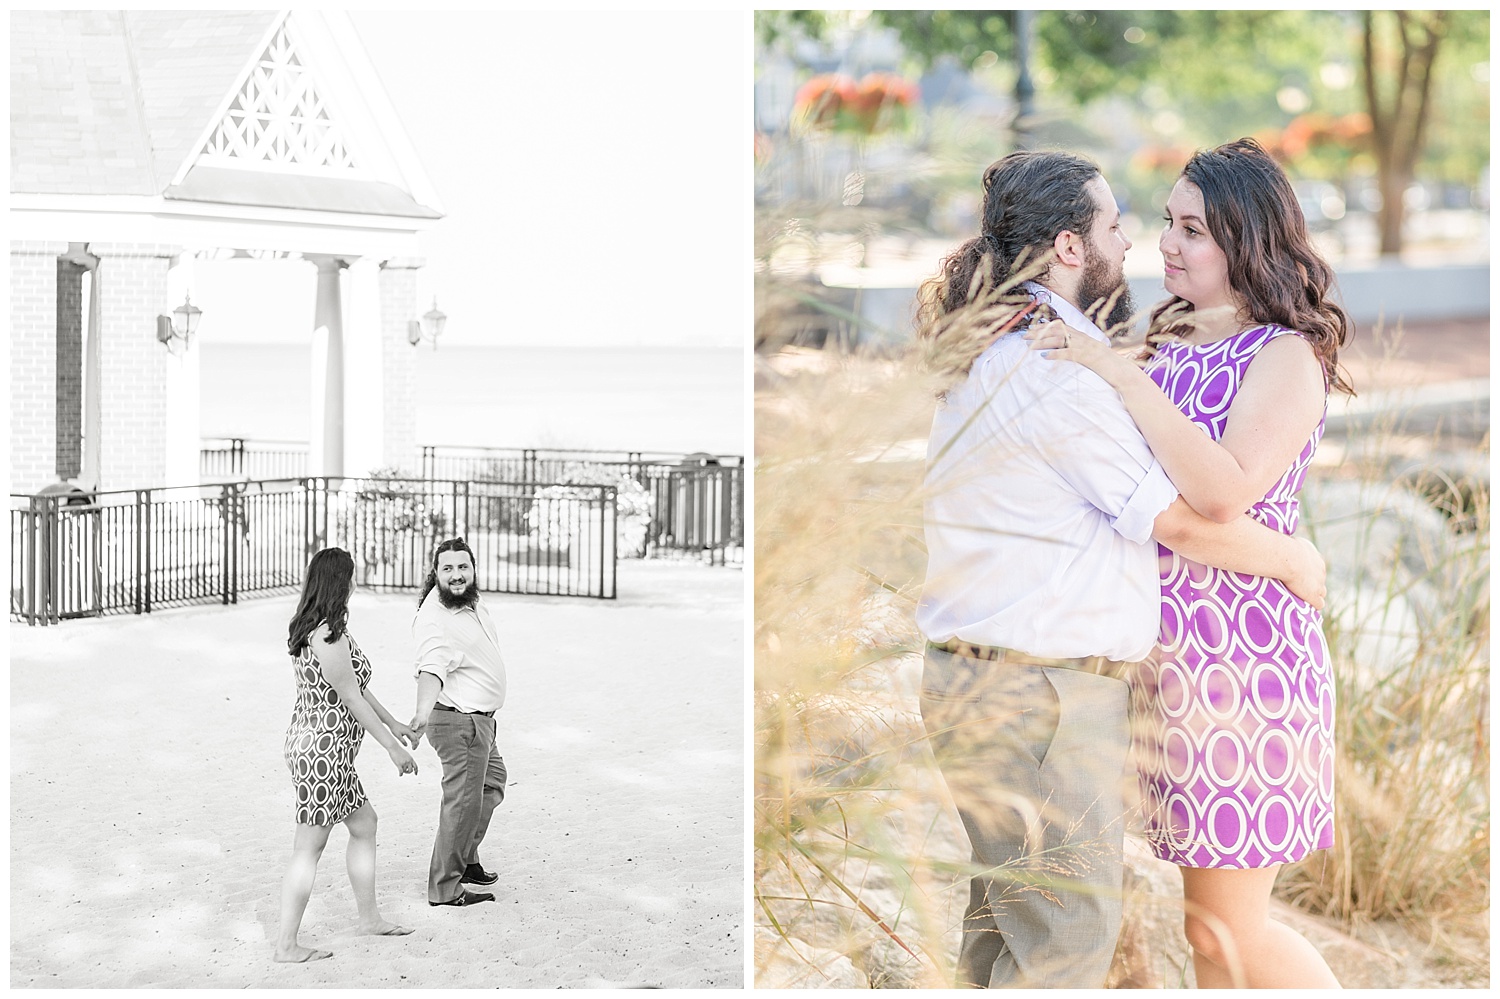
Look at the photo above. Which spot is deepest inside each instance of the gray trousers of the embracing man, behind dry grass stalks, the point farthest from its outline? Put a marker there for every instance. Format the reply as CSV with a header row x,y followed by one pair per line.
x,y
1036,760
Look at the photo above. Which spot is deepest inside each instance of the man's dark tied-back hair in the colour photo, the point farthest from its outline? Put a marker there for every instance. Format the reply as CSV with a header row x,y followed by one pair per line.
x,y
1030,197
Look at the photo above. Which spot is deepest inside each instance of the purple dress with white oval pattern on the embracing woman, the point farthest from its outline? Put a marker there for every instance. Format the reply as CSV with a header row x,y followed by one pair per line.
x,y
1234,712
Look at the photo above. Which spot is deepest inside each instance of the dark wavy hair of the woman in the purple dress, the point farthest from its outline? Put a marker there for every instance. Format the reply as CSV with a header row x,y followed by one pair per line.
x,y
1255,218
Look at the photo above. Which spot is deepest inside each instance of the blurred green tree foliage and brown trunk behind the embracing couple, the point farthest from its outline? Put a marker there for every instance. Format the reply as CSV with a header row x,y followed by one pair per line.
x,y
1247,71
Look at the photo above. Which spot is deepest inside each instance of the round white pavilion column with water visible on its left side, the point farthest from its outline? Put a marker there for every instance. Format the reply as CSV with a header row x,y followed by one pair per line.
x,y
365,404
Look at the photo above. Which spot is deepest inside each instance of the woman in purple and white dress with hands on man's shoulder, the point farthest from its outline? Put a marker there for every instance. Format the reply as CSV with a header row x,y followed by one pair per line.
x,y
1235,709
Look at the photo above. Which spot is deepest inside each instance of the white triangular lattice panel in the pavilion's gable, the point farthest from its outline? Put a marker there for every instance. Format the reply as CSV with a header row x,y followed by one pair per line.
x,y
278,119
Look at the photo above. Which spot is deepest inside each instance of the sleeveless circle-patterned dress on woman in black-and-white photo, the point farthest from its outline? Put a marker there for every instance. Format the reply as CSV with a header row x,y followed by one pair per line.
x,y
323,742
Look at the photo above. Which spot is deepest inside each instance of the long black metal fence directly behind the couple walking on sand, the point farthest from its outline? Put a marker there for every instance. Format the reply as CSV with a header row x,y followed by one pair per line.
x,y
140,550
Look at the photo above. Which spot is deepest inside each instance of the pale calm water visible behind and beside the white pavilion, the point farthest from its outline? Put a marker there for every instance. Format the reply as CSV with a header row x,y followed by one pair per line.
x,y
667,400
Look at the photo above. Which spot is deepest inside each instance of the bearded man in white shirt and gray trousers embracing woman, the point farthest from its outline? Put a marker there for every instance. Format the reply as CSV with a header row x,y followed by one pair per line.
x,y
1042,584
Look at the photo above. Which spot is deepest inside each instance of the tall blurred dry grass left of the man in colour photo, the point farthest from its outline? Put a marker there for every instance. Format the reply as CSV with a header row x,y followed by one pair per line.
x,y
844,802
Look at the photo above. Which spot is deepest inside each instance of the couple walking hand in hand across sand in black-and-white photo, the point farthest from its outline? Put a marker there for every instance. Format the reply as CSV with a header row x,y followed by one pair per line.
x,y
461,683
